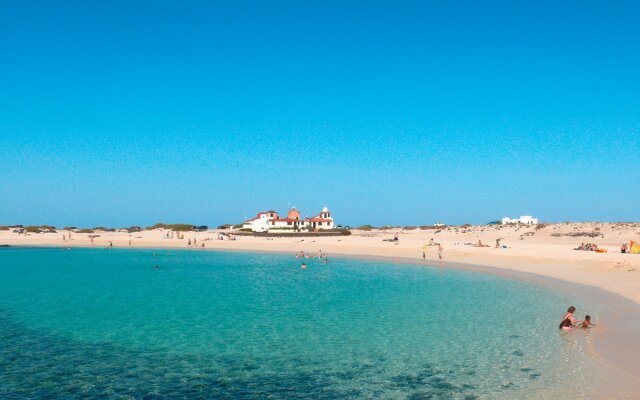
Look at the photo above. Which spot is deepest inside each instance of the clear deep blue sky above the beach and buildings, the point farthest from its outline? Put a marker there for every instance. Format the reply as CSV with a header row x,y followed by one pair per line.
x,y
115,113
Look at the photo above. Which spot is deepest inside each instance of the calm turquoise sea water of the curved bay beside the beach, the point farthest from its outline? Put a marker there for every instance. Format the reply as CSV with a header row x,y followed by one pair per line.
x,y
89,323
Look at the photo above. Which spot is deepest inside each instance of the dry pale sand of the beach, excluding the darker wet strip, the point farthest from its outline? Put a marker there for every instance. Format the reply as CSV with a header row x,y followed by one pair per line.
x,y
547,251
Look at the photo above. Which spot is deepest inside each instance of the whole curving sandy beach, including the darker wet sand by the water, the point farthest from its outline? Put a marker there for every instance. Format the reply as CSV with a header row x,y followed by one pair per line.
x,y
544,254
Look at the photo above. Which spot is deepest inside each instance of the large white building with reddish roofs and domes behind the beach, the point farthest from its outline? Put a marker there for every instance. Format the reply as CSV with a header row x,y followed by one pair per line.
x,y
269,220
